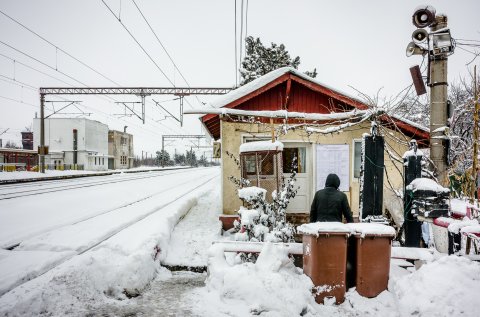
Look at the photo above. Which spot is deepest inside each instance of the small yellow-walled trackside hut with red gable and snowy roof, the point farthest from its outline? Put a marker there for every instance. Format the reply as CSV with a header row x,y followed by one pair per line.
x,y
321,127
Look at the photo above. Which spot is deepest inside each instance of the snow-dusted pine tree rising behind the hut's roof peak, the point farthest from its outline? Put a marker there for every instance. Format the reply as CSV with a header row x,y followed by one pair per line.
x,y
260,60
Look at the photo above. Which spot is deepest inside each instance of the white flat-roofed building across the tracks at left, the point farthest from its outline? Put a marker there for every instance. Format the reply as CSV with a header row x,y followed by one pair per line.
x,y
74,141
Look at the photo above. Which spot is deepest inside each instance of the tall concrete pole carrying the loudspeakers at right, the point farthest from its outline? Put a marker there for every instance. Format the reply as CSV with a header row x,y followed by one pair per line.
x,y
438,107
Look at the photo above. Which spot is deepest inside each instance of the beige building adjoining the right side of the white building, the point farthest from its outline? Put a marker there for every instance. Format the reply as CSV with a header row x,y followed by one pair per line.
x,y
120,150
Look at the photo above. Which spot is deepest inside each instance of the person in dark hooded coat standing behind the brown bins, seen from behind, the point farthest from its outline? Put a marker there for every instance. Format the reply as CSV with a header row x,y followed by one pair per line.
x,y
329,203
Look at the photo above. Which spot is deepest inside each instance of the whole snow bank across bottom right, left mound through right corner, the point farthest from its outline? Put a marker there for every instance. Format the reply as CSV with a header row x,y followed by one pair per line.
x,y
274,287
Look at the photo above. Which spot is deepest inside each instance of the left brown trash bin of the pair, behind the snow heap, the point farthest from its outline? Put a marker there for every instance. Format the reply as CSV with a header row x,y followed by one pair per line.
x,y
324,261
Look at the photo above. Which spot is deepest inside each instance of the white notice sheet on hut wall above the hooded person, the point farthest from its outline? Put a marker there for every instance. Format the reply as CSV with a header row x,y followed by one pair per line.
x,y
333,158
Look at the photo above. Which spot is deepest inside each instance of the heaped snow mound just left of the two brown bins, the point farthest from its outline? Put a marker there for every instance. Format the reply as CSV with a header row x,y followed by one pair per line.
x,y
272,286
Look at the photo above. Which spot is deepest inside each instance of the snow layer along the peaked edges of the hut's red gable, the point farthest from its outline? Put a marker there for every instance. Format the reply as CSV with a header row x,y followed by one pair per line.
x,y
264,80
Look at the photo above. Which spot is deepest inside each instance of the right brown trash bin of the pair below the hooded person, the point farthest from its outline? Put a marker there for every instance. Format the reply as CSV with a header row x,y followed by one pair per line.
x,y
371,263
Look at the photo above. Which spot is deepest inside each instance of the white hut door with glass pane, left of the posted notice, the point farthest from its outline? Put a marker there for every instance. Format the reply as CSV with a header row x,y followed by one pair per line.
x,y
301,202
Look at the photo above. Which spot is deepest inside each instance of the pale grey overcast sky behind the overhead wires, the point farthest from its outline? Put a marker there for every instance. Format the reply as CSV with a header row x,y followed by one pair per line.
x,y
358,44
